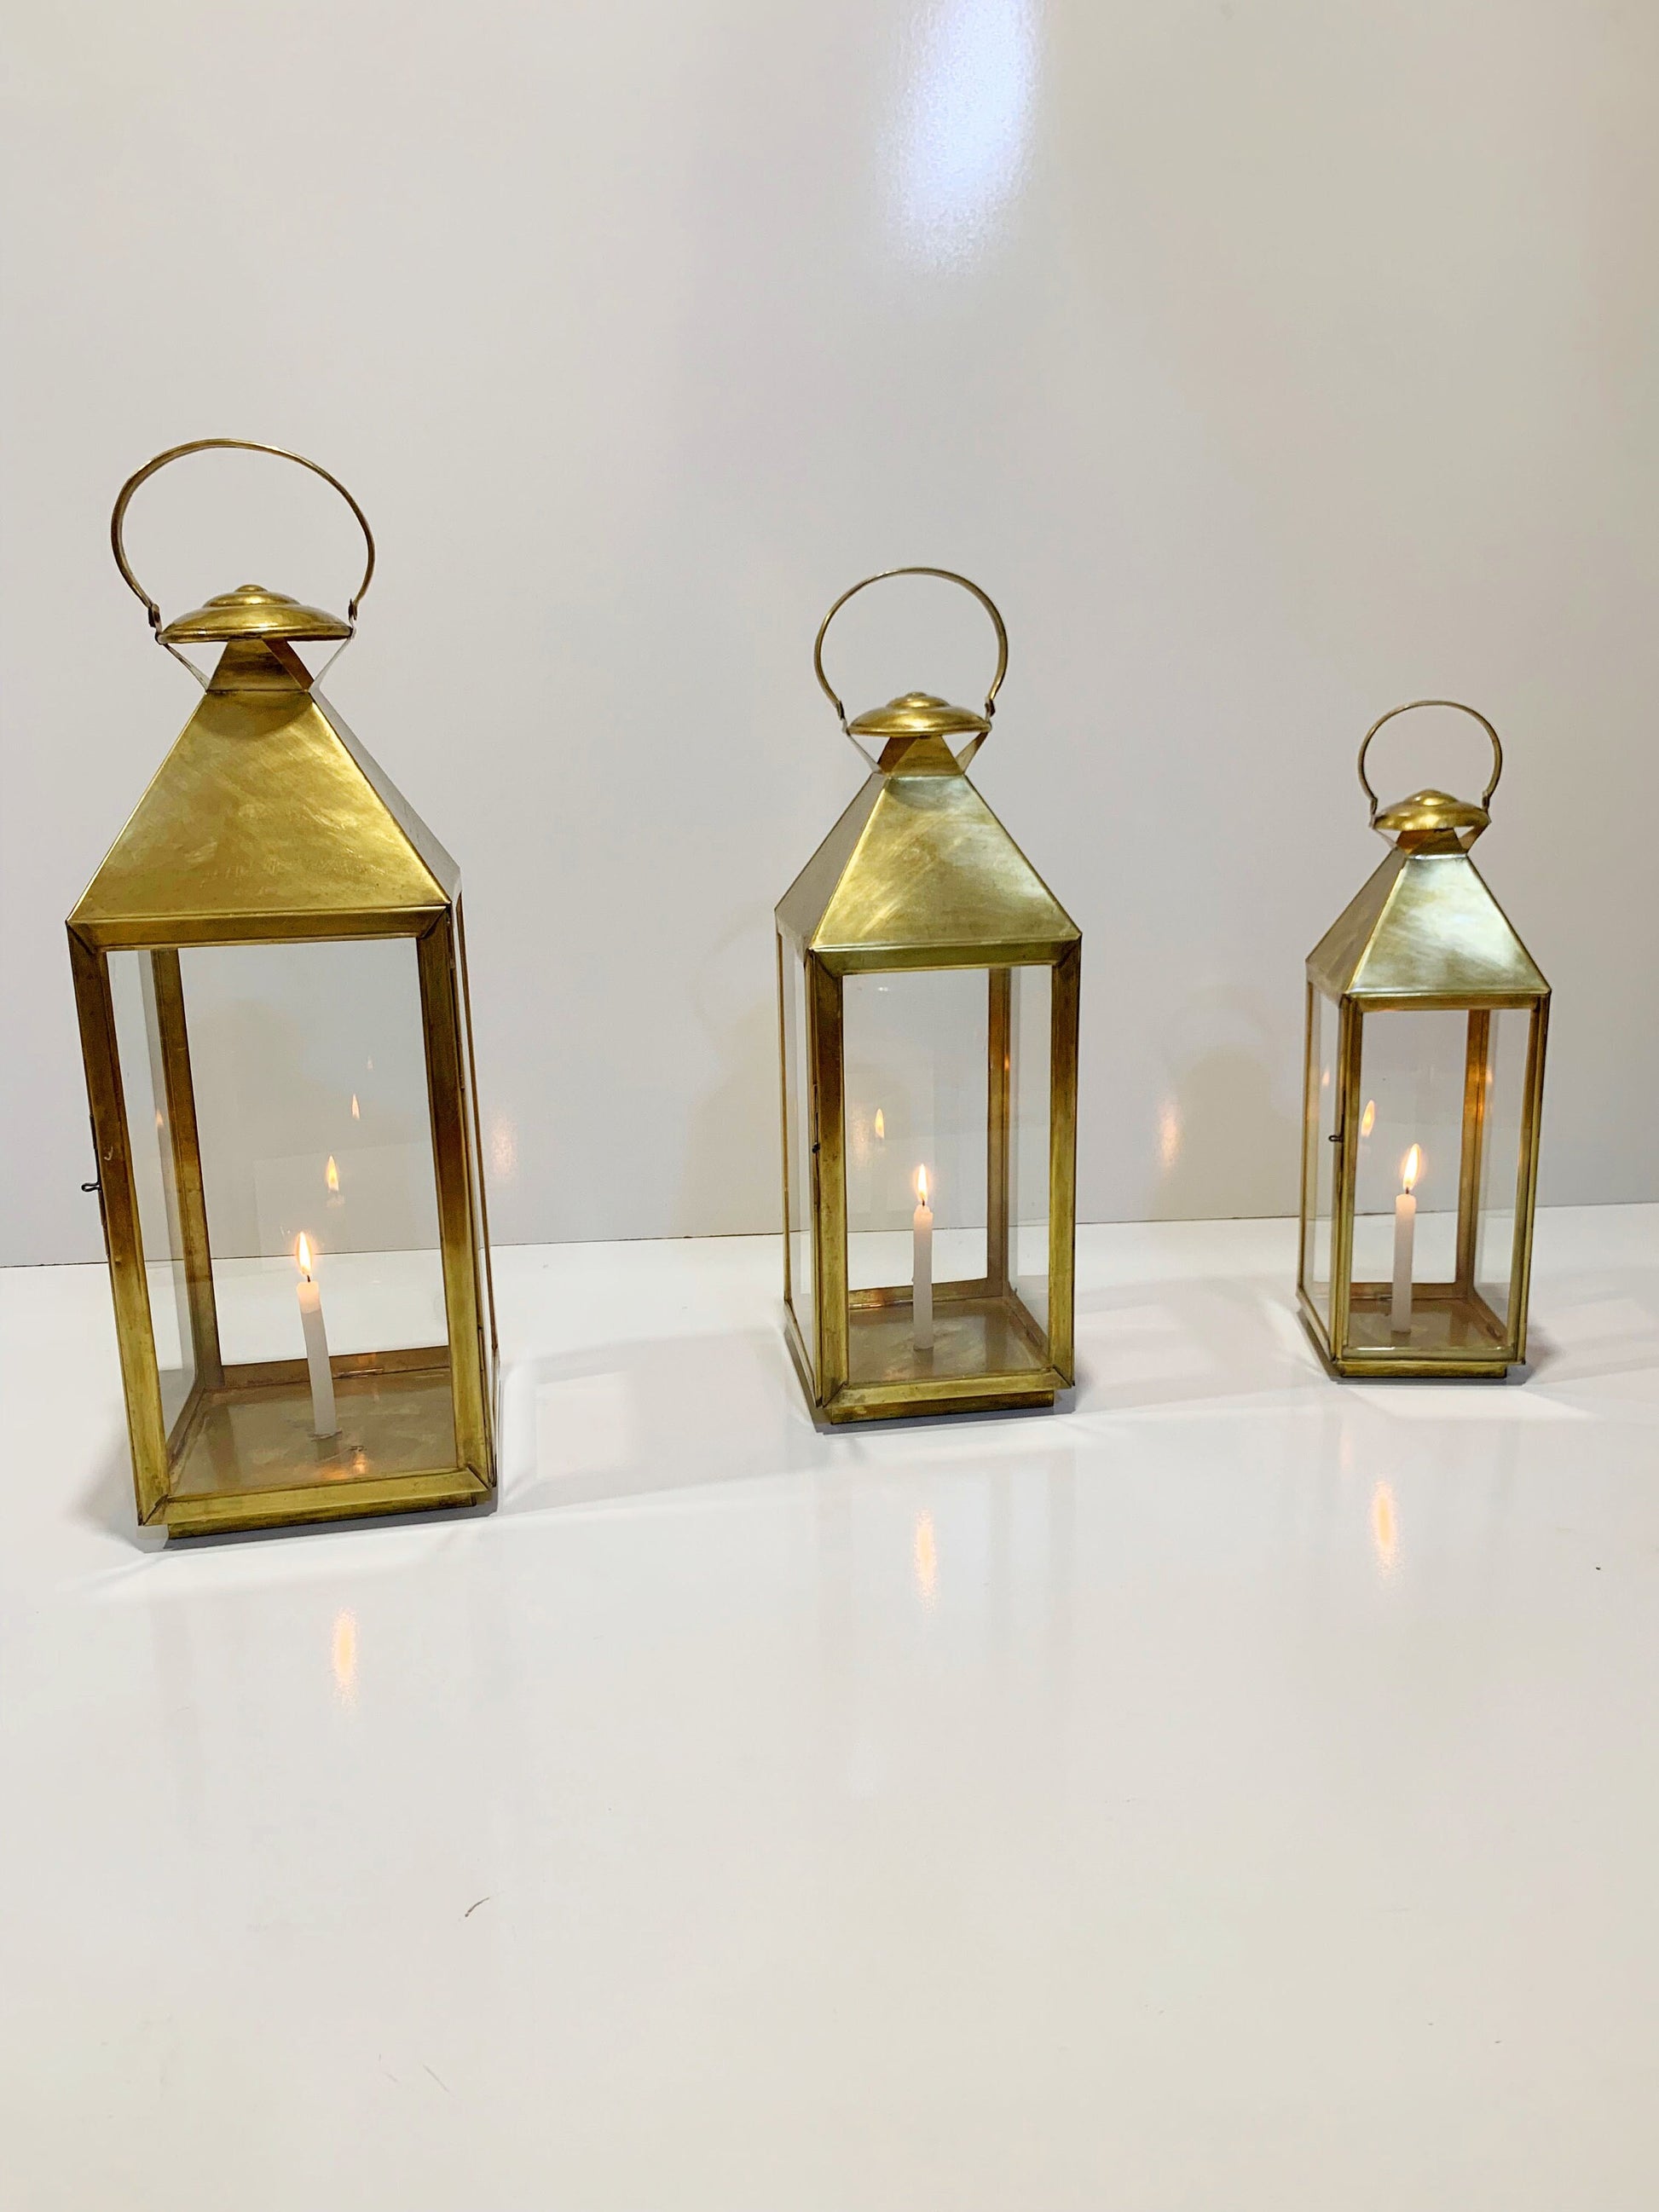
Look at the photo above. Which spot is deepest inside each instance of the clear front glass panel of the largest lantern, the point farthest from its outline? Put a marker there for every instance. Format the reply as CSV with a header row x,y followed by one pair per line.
x,y
309,1076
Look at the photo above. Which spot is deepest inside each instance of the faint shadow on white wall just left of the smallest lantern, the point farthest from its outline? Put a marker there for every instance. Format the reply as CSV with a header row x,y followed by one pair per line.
x,y
1229,1125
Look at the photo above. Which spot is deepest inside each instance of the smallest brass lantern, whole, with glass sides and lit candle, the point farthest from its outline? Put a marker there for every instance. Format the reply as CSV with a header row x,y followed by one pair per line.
x,y
1423,1092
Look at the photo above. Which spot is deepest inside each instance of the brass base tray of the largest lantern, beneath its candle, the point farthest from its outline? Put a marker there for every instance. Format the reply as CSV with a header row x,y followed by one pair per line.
x,y
247,1457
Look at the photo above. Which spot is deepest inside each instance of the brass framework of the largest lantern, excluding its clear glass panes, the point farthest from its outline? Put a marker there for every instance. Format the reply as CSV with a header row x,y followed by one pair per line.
x,y
271,824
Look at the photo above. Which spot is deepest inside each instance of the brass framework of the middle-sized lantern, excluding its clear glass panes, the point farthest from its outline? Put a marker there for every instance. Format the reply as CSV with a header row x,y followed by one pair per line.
x,y
921,875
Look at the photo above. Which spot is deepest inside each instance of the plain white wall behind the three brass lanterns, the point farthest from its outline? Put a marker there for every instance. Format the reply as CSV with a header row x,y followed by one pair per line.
x,y
1271,362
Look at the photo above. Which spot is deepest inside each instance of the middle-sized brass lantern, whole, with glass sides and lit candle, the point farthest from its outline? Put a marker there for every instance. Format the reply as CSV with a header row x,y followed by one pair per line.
x,y
928,1001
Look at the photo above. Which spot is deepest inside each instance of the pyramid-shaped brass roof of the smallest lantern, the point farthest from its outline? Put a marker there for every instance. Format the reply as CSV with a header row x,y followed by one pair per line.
x,y
1426,926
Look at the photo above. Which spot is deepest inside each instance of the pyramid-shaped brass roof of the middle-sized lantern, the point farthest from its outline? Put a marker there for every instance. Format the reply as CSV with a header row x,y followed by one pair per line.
x,y
919,873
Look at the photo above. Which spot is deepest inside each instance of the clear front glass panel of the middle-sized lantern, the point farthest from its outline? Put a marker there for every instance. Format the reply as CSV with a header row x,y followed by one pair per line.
x,y
919,1089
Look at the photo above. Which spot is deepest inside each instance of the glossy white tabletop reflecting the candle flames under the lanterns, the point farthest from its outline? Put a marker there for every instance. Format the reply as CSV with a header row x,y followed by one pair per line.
x,y
1235,1793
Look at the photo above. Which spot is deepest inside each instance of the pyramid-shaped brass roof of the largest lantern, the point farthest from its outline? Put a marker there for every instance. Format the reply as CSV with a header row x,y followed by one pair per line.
x,y
267,822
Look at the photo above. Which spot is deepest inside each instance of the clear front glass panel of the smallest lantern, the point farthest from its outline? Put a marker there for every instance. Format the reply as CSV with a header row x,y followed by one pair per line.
x,y
1417,1193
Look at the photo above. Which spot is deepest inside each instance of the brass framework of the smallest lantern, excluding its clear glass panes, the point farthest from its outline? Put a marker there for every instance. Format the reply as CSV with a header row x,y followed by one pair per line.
x,y
1426,932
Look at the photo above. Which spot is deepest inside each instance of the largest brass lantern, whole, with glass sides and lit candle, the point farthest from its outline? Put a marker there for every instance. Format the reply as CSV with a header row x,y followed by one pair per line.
x,y
273,1010
